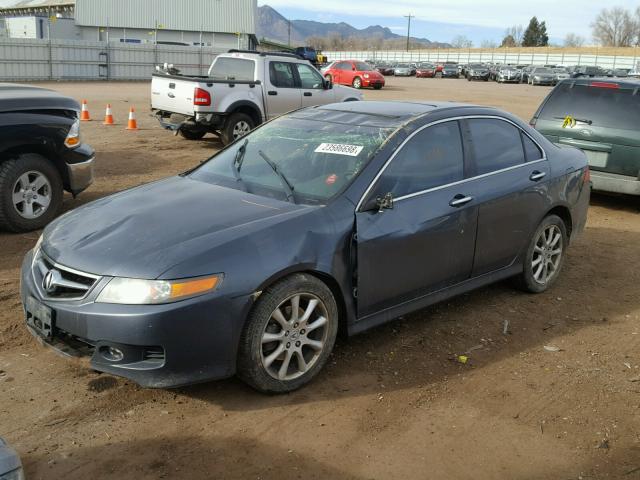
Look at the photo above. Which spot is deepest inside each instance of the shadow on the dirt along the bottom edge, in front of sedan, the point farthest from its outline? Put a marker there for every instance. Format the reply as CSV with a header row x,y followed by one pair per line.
x,y
181,456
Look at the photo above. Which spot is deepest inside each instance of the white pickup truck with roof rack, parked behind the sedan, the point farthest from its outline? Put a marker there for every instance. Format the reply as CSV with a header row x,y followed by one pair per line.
x,y
242,90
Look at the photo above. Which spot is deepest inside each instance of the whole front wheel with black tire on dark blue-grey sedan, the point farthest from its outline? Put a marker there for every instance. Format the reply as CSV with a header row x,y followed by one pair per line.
x,y
253,354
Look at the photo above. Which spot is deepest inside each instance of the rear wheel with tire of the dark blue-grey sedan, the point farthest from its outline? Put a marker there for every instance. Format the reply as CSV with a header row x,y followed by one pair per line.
x,y
528,280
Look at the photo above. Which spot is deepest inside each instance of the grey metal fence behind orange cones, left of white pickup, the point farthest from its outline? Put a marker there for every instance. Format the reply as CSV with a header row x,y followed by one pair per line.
x,y
32,60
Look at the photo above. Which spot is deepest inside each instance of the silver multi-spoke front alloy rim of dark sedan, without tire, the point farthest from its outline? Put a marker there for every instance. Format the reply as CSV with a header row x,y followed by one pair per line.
x,y
294,336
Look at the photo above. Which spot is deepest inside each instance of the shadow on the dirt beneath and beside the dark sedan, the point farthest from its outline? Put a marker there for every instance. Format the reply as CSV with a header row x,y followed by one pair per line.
x,y
422,349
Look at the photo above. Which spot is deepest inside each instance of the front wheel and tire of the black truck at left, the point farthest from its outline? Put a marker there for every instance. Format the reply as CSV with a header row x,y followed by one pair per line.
x,y
19,175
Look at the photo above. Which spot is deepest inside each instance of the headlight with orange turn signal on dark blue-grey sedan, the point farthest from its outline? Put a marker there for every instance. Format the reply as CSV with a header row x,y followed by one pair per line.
x,y
133,291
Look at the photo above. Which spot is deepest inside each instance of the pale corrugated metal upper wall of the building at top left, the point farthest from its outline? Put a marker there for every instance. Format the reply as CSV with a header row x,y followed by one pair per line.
x,y
228,16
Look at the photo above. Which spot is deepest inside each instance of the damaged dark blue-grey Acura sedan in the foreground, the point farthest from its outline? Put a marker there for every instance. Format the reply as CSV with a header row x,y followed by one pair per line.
x,y
340,217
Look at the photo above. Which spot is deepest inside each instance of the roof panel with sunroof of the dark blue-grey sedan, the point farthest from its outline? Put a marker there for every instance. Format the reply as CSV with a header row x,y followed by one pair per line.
x,y
375,113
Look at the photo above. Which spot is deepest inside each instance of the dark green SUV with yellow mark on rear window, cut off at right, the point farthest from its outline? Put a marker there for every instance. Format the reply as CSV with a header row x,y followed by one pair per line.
x,y
602,118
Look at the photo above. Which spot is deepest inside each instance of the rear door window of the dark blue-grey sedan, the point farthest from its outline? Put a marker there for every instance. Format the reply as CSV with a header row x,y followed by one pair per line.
x,y
497,145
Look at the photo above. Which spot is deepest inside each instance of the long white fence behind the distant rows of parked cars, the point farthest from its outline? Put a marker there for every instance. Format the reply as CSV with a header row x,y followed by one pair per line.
x,y
502,55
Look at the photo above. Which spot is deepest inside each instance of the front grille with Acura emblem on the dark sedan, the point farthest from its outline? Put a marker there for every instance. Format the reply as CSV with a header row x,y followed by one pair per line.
x,y
58,282
